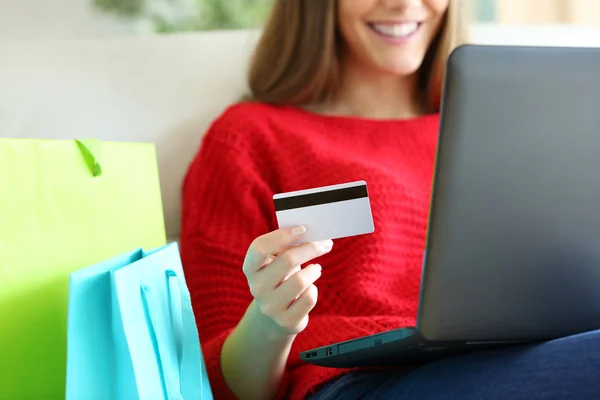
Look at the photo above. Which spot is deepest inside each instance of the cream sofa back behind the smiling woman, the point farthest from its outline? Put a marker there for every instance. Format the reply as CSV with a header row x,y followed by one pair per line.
x,y
164,89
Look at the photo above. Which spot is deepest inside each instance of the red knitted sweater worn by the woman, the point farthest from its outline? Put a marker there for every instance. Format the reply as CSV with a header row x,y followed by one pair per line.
x,y
369,283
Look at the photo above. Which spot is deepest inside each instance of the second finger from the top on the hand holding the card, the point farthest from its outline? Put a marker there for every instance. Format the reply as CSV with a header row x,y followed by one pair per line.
x,y
281,268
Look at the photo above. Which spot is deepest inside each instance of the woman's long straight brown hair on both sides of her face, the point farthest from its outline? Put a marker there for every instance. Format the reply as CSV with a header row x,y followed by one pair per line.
x,y
297,59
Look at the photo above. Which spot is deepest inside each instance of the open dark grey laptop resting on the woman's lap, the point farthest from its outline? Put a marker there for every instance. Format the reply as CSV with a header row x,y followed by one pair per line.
x,y
513,243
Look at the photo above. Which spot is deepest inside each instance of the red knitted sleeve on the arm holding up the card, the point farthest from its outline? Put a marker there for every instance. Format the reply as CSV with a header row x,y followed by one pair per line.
x,y
225,206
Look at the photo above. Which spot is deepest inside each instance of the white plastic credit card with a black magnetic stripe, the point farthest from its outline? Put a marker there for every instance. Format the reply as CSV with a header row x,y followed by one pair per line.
x,y
329,212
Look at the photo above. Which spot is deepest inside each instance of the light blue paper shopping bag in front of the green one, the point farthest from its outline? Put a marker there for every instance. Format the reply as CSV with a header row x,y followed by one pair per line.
x,y
132,332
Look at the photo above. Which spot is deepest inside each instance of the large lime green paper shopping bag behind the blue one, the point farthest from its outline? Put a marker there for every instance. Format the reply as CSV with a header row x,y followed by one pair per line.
x,y
64,205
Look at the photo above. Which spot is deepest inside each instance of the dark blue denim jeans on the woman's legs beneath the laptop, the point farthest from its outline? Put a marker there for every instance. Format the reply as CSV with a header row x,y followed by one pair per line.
x,y
567,368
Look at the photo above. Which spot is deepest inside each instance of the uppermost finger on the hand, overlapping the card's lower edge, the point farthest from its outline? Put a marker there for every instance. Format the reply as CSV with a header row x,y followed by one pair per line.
x,y
265,247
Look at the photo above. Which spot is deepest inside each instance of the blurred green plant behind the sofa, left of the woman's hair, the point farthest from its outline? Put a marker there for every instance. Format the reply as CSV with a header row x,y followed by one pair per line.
x,y
190,15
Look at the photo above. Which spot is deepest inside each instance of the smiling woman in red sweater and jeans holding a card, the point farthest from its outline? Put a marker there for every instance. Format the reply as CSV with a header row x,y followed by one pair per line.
x,y
341,90
